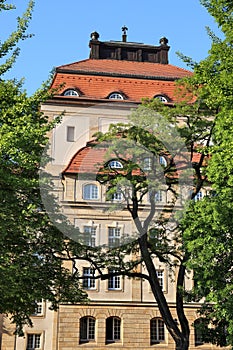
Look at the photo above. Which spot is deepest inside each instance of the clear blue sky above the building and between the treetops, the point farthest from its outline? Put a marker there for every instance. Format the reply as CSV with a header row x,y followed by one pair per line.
x,y
62,31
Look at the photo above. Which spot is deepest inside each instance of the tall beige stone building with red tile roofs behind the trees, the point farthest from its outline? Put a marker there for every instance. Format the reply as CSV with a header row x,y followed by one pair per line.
x,y
93,94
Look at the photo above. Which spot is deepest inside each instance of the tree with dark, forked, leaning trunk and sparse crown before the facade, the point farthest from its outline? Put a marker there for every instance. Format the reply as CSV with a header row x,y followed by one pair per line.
x,y
150,135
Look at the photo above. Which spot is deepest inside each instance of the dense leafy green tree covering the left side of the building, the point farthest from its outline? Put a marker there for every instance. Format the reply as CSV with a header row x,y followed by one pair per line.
x,y
31,248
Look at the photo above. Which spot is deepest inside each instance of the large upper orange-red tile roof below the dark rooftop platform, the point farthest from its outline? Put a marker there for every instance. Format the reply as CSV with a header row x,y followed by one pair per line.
x,y
98,78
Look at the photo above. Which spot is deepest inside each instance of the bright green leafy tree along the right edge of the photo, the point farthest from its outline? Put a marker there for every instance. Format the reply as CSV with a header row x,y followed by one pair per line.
x,y
209,237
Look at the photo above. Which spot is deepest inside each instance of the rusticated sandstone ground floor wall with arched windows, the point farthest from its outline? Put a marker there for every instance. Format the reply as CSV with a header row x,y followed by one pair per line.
x,y
134,328
